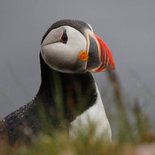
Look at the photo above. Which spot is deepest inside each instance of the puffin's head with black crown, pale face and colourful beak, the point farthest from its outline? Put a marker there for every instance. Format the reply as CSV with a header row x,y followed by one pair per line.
x,y
71,46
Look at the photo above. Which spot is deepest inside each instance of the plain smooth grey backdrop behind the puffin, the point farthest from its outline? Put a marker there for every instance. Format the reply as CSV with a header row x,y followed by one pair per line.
x,y
128,27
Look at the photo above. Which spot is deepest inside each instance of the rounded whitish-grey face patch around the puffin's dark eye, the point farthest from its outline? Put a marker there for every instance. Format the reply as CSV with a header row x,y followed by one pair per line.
x,y
61,49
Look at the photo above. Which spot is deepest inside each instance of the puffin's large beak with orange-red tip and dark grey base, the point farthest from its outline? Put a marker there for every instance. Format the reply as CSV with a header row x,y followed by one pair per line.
x,y
99,55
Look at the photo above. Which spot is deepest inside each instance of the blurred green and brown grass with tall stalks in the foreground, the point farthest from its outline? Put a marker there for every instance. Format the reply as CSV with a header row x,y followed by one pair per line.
x,y
131,129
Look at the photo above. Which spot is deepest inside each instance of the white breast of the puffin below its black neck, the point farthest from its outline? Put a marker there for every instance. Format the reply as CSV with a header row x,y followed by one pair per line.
x,y
96,116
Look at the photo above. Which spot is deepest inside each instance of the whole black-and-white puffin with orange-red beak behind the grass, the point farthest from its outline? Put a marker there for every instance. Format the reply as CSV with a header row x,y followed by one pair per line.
x,y
68,98
